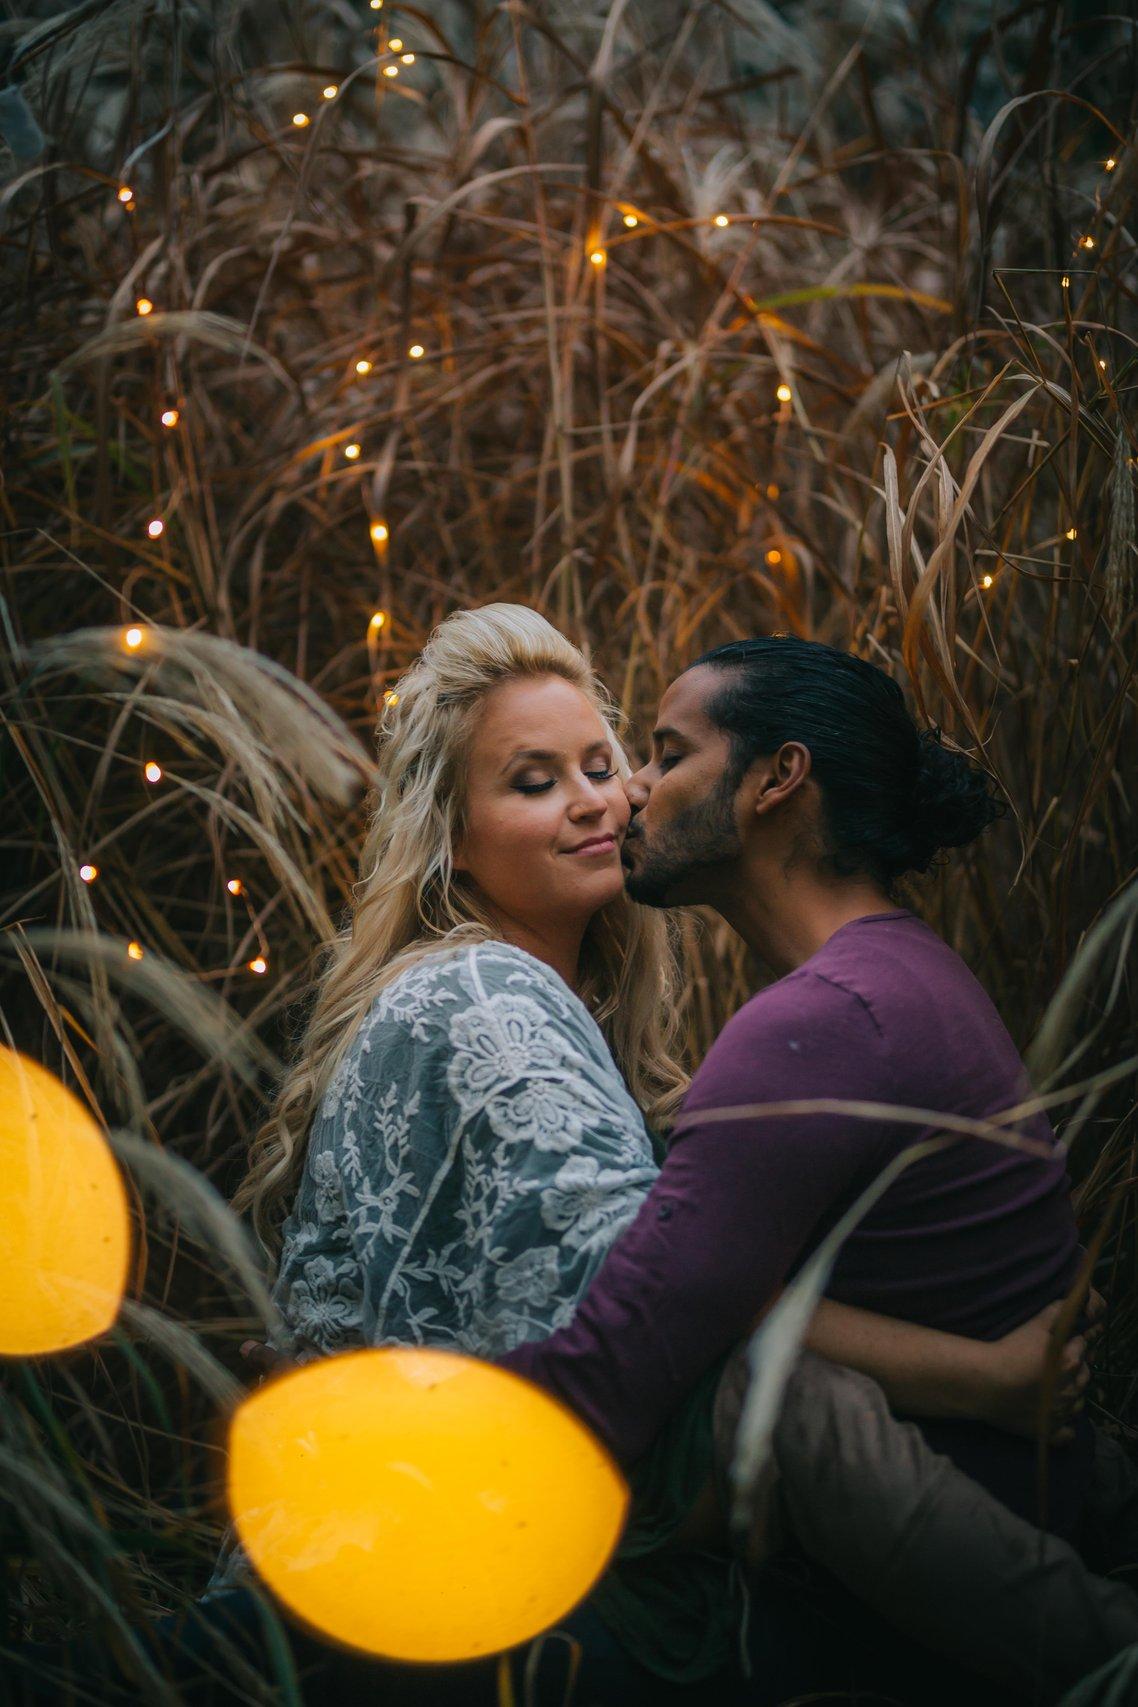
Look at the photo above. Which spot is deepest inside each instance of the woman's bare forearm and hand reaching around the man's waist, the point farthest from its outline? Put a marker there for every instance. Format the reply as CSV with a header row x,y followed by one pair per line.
x,y
926,1373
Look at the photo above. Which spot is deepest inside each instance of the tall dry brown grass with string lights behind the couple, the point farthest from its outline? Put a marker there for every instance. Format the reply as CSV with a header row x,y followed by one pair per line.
x,y
922,245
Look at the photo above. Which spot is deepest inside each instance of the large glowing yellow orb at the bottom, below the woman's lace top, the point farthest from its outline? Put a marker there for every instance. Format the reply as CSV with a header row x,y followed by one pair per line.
x,y
421,1505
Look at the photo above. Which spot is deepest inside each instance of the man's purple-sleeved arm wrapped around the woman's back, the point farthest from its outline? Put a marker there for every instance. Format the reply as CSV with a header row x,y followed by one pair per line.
x,y
733,1211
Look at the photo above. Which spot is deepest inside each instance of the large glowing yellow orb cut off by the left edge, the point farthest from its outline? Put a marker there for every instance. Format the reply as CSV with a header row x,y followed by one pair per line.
x,y
64,1221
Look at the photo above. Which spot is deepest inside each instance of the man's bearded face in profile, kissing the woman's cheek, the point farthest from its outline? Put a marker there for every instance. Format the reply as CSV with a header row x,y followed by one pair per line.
x,y
685,829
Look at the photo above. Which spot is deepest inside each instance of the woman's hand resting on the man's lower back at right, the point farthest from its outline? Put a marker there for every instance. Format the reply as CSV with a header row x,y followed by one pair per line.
x,y
1023,1366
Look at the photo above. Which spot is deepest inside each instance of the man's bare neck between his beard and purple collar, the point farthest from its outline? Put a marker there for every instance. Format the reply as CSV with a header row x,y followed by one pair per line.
x,y
787,918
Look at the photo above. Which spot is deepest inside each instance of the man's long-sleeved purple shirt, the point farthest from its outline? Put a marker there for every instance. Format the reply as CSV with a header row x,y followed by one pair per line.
x,y
973,1238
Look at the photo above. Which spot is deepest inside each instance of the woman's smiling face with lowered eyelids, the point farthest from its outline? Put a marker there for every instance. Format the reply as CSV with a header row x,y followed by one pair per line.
x,y
545,808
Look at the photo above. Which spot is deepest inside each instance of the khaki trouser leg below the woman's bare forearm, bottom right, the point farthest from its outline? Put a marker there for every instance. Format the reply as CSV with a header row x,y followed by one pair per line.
x,y
927,1547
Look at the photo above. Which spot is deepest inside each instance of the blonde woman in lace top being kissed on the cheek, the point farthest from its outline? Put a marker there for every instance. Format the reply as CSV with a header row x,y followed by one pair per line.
x,y
467,1126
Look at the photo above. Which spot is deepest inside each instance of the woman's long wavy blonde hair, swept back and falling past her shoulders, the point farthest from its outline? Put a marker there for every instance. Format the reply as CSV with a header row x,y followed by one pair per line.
x,y
412,904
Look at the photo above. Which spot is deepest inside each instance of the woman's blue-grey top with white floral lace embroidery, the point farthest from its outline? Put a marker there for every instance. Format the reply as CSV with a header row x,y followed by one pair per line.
x,y
470,1165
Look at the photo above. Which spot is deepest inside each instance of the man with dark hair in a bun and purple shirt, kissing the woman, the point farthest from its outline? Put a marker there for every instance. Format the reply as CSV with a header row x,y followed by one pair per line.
x,y
789,789
